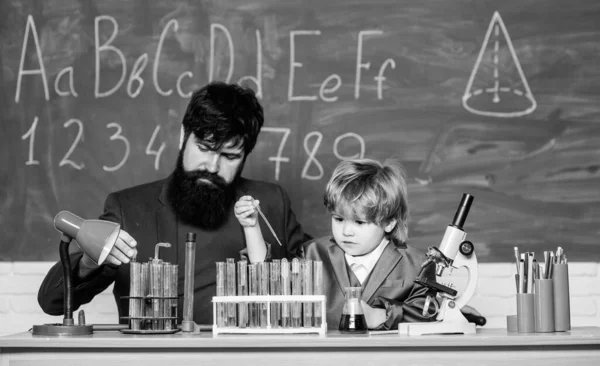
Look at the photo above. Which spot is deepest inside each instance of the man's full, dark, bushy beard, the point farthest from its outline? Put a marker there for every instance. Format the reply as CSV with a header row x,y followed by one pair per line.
x,y
198,202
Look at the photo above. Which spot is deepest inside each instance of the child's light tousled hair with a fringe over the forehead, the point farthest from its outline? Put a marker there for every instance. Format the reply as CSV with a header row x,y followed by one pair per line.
x,y
369,190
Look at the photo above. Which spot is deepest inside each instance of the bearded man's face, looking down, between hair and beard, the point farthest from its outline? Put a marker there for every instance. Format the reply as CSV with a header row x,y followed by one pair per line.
x,y
201,156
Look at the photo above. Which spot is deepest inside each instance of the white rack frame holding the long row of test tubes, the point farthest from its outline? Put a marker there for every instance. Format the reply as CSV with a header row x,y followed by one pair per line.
x,y
270,299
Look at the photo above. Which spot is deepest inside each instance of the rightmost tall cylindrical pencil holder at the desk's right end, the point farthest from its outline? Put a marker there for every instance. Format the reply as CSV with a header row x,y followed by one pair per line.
x,y
562,306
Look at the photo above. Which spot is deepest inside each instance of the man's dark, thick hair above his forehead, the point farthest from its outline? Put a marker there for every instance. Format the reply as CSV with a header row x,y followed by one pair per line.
x,y
220,112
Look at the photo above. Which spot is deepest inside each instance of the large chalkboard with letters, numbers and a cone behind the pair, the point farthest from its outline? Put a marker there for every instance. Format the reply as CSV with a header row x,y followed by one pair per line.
x,y
500,99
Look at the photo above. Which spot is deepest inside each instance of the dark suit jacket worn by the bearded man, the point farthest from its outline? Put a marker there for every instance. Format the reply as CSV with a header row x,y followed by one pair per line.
x,y
143,211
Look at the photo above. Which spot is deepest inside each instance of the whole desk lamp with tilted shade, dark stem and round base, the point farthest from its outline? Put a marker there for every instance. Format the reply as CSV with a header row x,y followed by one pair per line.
x,y
96,238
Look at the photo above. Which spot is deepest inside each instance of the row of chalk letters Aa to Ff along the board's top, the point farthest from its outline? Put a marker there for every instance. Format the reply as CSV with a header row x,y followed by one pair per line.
x,y
104,46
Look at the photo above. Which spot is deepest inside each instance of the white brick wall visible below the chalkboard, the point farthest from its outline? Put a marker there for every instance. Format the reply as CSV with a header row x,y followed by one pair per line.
x,y
19,282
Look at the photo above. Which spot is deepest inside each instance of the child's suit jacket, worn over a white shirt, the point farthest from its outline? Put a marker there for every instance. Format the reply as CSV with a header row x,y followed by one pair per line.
x,y
389,286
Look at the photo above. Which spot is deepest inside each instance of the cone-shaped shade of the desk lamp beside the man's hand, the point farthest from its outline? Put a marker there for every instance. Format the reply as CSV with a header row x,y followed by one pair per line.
x,y
95,237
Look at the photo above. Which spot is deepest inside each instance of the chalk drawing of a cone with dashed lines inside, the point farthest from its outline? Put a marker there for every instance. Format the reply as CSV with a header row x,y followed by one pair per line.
x,y
497,86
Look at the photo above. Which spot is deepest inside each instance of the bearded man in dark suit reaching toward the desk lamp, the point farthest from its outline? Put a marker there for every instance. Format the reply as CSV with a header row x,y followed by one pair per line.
x,y
221,125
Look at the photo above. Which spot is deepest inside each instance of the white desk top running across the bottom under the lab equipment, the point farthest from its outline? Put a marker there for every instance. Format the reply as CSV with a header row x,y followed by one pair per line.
x,y
488,338
